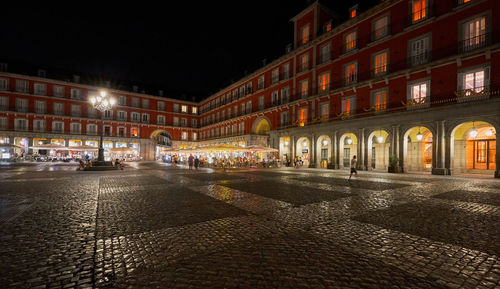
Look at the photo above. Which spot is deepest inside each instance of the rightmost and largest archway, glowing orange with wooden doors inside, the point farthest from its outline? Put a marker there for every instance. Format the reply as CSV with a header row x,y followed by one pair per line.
x,y
473,148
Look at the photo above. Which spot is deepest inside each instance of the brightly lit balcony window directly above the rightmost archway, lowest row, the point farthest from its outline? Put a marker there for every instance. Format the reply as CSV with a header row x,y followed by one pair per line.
x,y
474,81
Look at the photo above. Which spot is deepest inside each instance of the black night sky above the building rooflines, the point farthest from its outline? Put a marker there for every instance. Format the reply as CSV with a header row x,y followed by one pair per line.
x,y
184,48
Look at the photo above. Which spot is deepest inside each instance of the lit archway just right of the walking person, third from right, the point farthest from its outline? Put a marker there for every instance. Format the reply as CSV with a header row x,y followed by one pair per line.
x,y
378,150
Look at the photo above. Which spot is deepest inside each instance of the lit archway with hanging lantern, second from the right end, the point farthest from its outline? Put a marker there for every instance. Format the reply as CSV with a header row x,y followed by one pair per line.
x,y
418,149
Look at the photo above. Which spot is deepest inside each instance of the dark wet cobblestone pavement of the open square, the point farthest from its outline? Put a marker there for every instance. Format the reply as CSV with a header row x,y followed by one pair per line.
x,y
154,226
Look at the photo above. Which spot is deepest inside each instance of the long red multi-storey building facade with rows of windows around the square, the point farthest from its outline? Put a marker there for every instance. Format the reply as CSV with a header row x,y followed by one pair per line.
x,y
417,74
